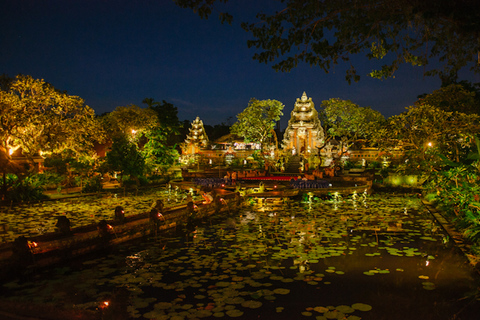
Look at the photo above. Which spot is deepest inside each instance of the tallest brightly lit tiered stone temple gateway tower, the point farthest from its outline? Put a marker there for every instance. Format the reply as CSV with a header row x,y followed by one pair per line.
x,y
304,132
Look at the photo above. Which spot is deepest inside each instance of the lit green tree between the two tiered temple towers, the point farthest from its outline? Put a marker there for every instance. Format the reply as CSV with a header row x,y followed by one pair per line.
x,y
257,121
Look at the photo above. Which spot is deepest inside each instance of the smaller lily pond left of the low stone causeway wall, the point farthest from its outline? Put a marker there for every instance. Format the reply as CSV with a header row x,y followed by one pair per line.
x,y
38,218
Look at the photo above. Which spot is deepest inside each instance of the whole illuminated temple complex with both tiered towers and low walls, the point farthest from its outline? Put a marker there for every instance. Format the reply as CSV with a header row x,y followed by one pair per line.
x,y
303,136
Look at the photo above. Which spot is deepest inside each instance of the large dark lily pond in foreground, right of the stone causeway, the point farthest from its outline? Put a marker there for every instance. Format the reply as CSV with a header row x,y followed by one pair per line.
x,y
375,257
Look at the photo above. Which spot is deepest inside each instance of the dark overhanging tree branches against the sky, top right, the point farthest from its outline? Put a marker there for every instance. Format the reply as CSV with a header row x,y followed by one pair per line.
x,y
324,33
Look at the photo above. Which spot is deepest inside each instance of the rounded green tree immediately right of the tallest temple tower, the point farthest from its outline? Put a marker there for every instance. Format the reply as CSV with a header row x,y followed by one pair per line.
x,y
348,121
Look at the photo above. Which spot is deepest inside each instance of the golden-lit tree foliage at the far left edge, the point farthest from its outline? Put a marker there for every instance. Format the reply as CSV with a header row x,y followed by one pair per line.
x,y
34,117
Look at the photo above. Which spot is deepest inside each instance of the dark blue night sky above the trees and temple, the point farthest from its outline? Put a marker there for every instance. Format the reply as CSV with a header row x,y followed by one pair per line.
x,y
118,52
